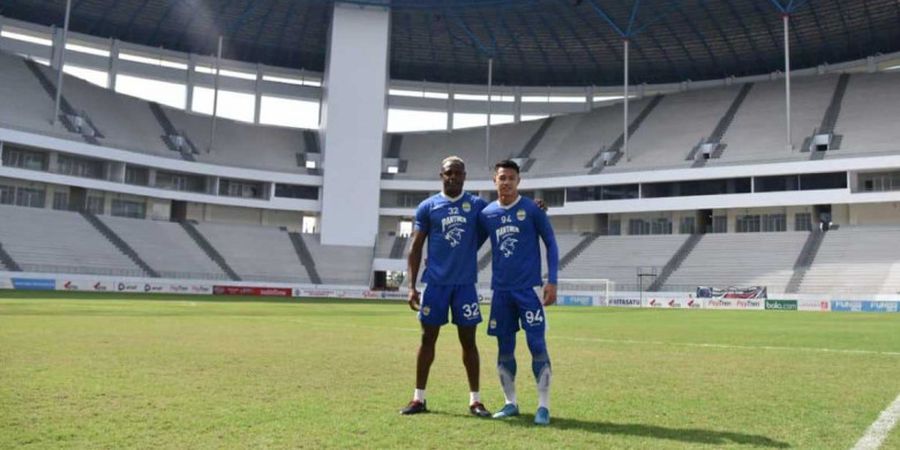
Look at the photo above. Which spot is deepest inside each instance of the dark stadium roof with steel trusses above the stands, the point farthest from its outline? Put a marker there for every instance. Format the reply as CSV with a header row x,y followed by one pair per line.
x,y
533,42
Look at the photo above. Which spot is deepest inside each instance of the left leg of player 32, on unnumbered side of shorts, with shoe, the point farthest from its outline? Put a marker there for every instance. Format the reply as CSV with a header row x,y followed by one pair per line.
x,y
433,313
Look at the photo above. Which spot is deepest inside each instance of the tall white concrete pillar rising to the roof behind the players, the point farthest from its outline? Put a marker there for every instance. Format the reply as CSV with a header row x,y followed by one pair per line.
x,y
355,93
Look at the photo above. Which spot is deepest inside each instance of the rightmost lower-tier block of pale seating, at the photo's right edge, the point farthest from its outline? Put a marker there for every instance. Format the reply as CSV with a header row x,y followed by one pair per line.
x,y
854,260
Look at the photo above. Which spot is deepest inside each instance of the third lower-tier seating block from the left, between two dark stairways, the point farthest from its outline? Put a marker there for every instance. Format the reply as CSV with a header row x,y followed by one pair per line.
x,y
256,253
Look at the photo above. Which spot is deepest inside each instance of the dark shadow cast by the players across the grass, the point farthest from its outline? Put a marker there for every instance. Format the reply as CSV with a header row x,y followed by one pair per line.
x,y
687,435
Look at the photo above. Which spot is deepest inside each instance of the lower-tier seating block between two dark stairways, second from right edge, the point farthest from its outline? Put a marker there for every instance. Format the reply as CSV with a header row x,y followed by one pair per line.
x,y
740,259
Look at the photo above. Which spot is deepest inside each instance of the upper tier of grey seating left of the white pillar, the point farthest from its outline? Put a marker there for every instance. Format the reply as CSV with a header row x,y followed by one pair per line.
x,y
129,123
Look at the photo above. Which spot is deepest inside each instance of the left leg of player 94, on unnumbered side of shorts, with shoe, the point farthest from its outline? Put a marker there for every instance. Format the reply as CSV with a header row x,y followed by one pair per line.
x,y
504,325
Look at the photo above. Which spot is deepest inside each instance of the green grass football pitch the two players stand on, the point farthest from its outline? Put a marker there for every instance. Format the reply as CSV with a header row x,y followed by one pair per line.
x,y
91,371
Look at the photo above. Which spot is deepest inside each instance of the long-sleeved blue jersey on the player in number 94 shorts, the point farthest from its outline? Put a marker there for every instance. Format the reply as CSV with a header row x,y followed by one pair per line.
x,y
516,255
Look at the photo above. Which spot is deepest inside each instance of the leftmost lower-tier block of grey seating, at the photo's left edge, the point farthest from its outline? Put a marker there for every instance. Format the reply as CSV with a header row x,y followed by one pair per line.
x,y
41,240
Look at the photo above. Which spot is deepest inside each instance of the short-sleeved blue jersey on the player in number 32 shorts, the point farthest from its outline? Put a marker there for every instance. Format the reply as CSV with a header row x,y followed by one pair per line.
x,y
453,238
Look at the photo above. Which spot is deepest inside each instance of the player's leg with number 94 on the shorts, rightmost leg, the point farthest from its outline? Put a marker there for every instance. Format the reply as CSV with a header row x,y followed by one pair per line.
x,y
534,323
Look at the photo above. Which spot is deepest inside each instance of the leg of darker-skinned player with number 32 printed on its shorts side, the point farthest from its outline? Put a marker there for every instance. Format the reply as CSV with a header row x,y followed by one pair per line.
x,y
467,316
